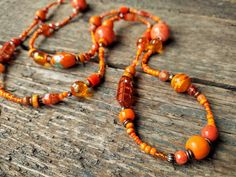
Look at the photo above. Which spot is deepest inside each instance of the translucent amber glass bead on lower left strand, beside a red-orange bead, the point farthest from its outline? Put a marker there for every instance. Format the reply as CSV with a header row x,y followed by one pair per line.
x,y
79,89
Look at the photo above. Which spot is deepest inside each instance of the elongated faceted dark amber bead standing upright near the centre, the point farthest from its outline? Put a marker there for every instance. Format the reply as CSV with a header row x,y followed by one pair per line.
x,y
125,92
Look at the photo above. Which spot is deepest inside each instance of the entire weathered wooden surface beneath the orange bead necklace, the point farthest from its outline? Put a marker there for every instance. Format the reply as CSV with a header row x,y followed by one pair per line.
x,y
84,138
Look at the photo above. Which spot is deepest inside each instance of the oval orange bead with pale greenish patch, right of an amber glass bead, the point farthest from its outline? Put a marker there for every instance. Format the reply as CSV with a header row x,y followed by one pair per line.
x,y
63,60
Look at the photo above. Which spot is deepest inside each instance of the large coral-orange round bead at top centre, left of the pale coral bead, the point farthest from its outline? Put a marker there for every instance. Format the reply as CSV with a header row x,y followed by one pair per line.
x,y
105,35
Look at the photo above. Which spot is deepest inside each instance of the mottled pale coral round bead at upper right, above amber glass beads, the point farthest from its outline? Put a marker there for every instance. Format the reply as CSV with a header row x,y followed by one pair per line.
x,y
160,30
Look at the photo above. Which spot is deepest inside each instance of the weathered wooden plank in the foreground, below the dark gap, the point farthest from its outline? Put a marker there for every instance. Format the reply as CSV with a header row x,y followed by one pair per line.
x,y
60,140
